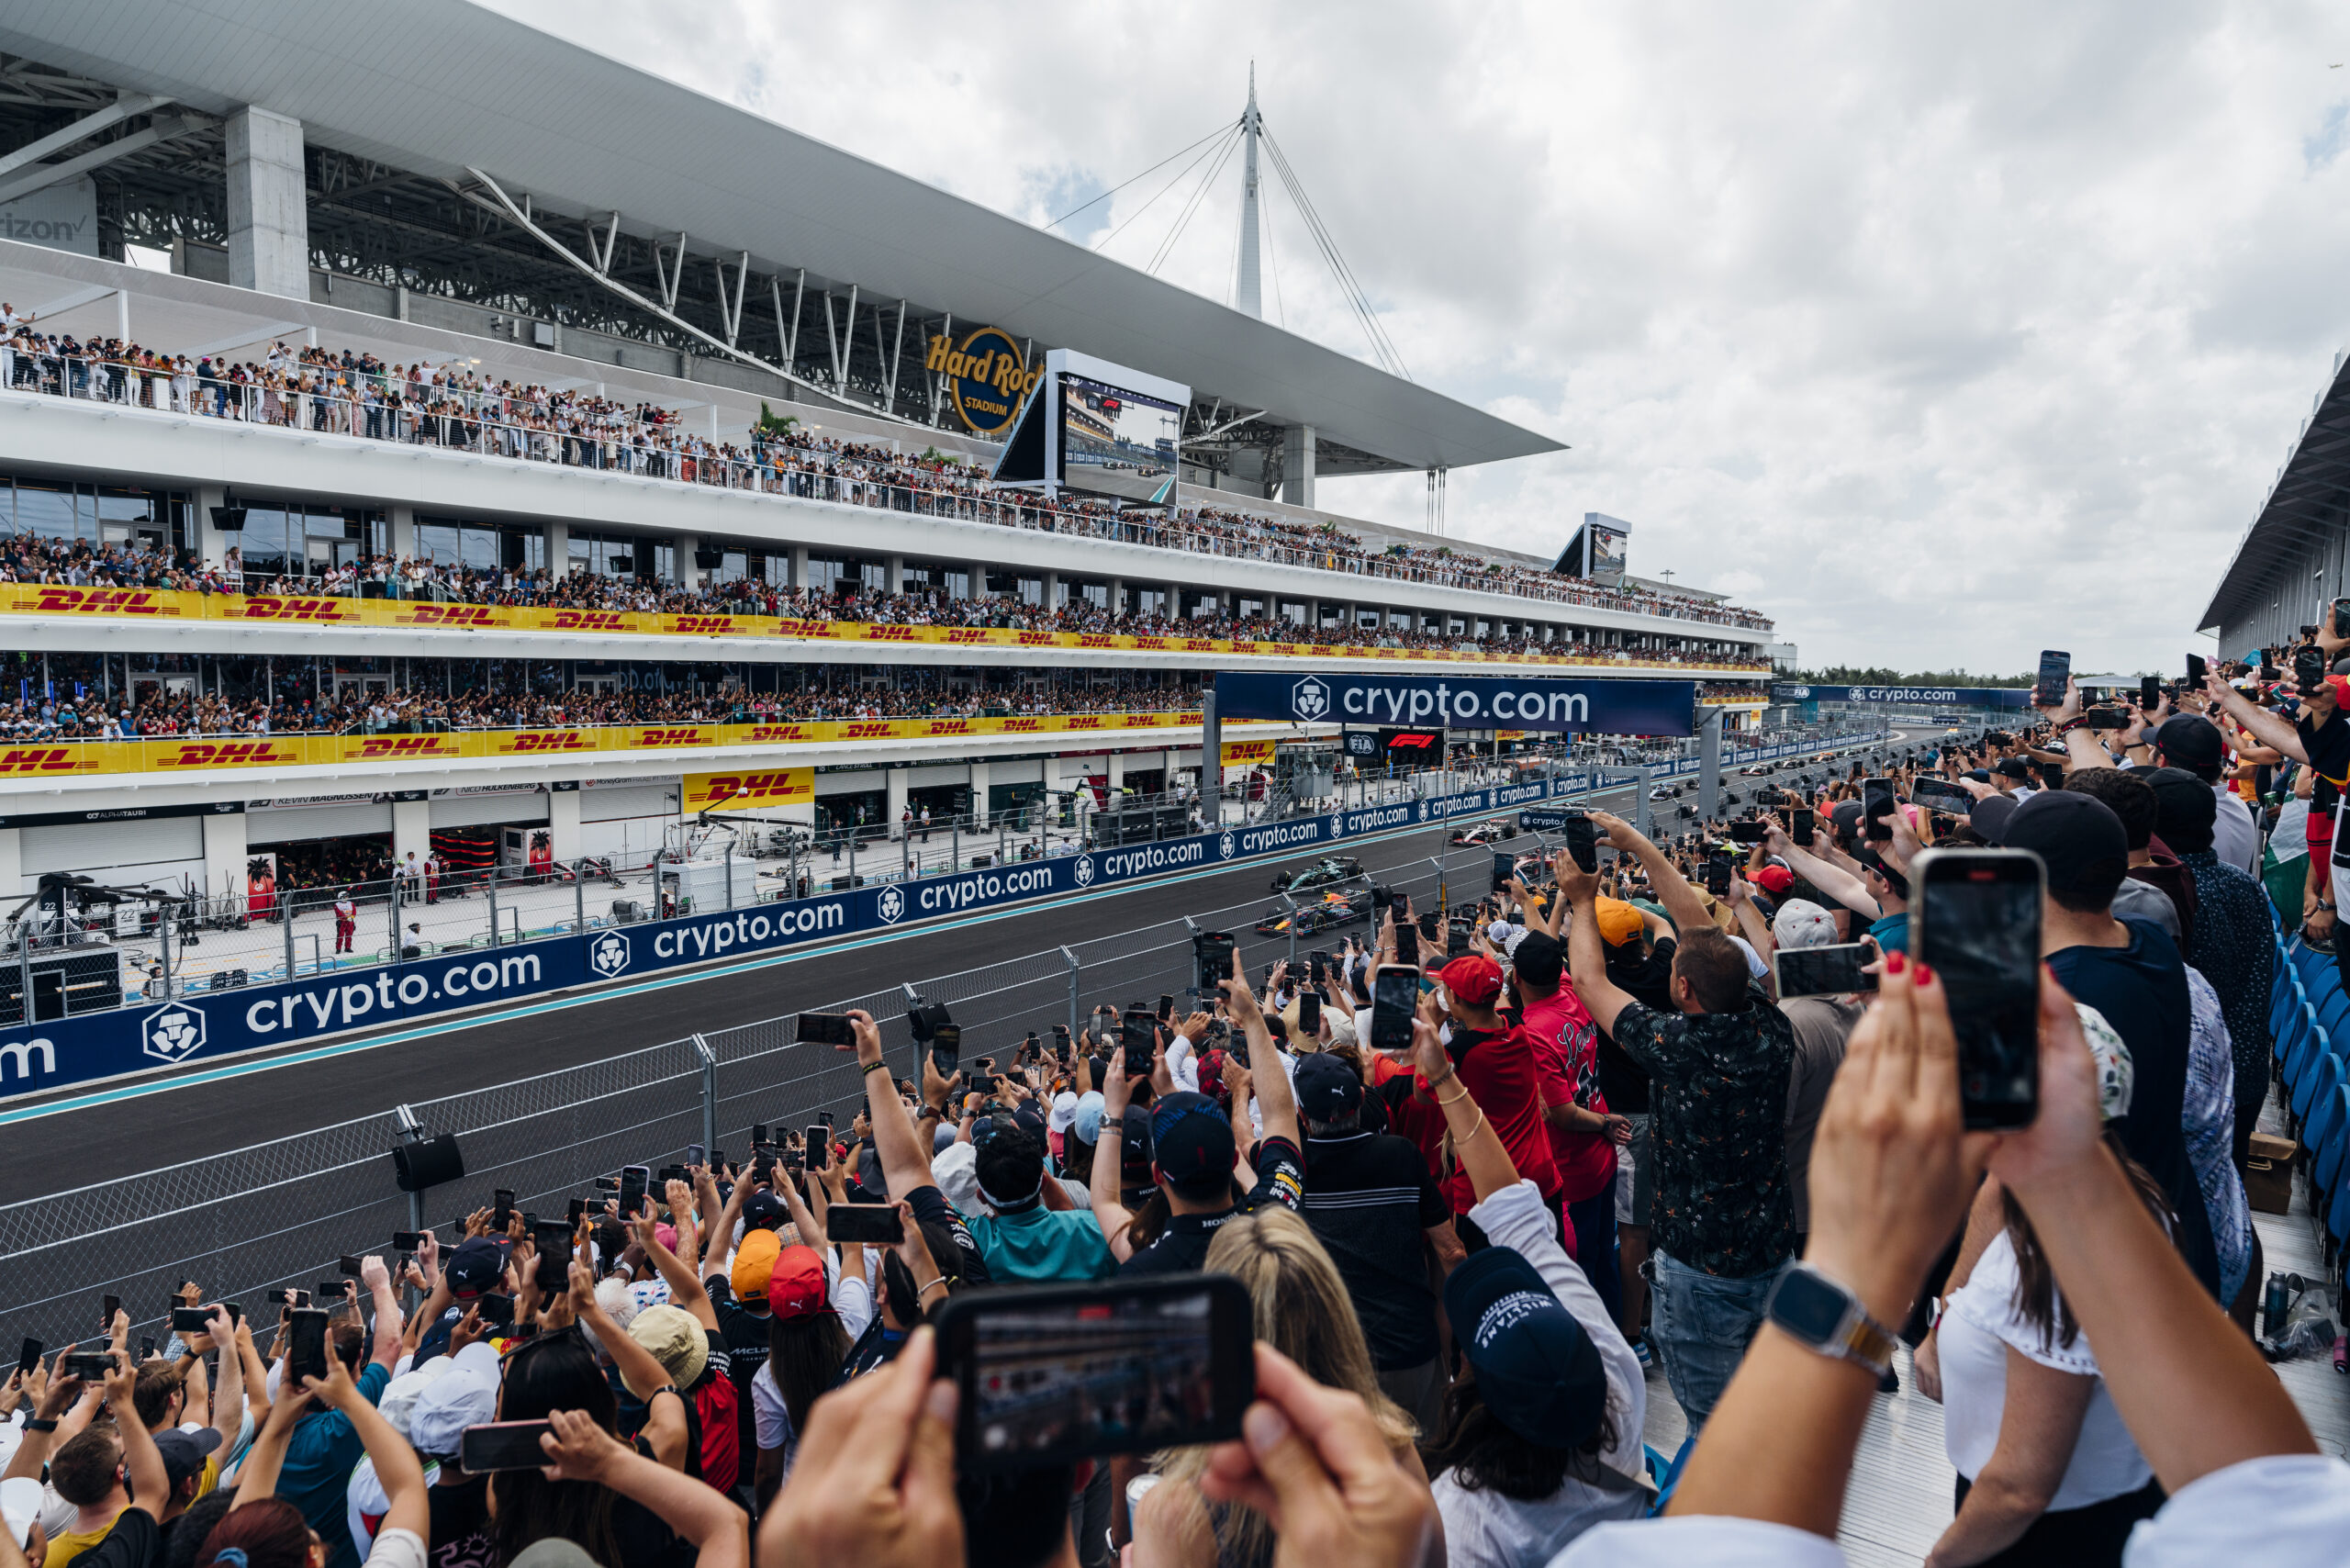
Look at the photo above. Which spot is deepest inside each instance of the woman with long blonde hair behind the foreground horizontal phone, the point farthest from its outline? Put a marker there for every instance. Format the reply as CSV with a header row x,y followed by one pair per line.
x,y
1303,1311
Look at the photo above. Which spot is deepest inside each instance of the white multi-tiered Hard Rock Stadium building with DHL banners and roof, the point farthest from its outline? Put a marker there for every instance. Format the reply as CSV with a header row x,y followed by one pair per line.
x,y
523,314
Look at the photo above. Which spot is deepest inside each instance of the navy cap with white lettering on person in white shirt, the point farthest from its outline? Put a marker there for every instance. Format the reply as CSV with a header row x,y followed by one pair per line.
x,y
1536,1367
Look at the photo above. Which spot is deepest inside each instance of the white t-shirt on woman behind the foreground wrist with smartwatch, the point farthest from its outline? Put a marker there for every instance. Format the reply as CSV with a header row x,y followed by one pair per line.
x,y
1978,1332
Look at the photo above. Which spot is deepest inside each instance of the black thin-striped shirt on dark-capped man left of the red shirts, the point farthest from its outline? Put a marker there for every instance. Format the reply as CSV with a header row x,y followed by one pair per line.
x,y
1369,1198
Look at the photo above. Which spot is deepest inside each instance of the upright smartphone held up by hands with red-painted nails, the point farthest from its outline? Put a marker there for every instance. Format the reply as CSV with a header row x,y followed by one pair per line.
x,y
1975,918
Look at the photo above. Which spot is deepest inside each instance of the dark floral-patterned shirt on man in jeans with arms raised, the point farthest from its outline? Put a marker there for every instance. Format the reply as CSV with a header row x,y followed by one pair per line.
x,y
1719,1134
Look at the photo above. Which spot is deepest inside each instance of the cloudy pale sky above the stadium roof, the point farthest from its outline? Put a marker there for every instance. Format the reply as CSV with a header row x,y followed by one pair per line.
x,y
1940,333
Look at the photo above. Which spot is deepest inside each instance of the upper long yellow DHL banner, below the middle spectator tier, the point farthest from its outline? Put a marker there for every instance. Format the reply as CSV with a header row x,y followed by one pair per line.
x,y
161,605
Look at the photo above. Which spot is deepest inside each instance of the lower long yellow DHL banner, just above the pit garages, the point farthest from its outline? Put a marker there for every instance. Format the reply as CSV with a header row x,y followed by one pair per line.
x,y
213,753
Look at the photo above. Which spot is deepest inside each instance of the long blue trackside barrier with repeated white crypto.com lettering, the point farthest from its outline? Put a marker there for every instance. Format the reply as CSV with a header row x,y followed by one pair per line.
x,y
264,1017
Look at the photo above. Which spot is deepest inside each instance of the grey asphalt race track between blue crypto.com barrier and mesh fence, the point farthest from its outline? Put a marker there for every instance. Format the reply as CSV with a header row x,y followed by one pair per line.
x,y
159,1123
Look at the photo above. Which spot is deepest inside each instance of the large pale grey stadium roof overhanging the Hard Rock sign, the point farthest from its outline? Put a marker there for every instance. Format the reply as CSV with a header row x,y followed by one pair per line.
x,y
443,86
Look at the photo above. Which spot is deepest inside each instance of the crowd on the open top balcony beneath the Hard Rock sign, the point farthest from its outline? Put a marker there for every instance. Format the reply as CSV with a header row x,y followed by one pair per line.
x,y
455,406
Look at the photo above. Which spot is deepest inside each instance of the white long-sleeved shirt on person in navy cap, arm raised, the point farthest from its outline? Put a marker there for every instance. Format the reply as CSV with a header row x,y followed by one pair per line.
x,y
1496,1532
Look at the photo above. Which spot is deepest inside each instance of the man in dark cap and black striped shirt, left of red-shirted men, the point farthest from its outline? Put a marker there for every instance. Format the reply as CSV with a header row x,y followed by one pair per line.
x,y
1378,1214
